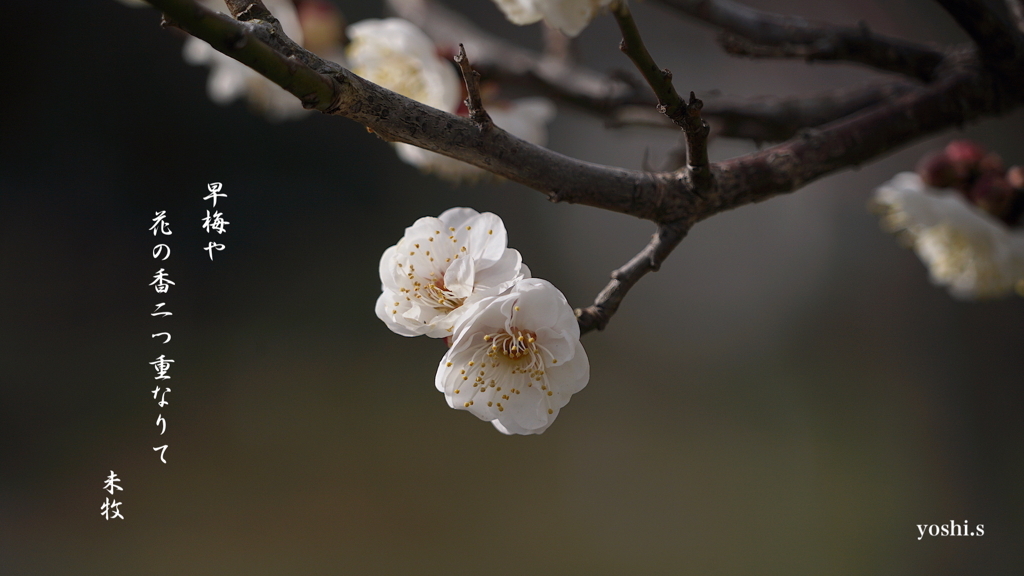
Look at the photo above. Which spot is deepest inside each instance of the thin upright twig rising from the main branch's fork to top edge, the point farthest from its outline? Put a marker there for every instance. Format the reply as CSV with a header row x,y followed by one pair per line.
x,y
687,114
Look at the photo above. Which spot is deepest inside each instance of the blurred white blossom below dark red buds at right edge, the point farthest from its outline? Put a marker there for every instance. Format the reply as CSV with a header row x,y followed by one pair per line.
x,y
965,249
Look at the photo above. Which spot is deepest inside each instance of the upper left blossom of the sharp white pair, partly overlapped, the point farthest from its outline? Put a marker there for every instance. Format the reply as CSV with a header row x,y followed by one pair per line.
x,y
442,267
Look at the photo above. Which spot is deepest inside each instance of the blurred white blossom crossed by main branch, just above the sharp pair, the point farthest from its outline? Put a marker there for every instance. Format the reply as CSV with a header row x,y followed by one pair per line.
x,y
526,118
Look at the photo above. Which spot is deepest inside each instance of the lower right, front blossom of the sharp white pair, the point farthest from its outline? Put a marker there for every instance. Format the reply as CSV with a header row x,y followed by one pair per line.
x,y
517,359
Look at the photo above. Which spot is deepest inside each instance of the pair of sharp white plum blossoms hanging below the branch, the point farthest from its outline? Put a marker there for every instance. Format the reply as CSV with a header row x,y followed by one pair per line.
x,y
516,357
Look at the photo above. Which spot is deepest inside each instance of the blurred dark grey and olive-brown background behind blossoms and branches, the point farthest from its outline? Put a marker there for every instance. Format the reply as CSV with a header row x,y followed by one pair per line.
x,y
789,396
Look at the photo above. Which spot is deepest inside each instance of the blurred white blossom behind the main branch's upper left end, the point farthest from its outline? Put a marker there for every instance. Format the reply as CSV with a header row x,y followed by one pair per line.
x,y
231,80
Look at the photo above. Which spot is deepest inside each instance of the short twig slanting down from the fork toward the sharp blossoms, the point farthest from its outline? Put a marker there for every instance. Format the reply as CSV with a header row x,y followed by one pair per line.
x,y
596,316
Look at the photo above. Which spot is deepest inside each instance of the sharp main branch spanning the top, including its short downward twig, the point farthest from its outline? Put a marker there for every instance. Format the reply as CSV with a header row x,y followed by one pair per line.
x,y
964,91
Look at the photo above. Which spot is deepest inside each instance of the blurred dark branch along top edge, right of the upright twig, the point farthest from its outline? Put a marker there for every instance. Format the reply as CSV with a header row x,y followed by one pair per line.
x,y
754,33
